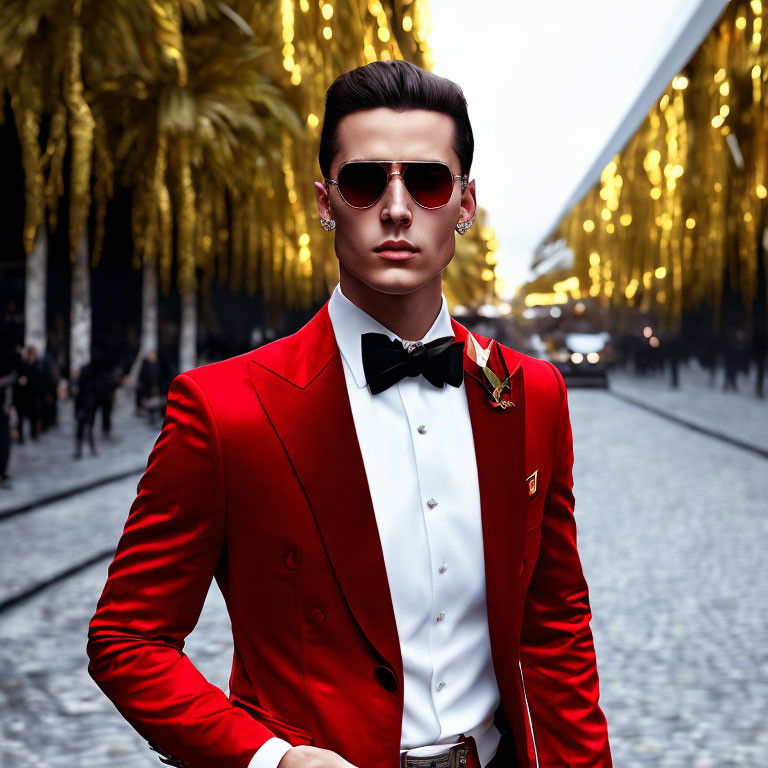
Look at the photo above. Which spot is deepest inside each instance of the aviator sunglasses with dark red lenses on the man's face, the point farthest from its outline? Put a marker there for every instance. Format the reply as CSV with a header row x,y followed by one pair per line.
x,y
361,183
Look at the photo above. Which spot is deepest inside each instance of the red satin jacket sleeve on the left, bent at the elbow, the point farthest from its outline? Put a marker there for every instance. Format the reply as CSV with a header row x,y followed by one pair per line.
x,y
157,583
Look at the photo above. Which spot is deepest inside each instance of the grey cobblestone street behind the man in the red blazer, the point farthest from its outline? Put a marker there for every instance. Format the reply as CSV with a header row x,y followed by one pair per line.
x,y
672,531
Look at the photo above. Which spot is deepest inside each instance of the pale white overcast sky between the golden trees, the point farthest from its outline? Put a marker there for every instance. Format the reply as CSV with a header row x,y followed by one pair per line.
x,y
547,83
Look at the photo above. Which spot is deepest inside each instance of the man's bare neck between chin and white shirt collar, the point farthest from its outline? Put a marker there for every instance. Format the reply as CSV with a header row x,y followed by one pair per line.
x,y
409,315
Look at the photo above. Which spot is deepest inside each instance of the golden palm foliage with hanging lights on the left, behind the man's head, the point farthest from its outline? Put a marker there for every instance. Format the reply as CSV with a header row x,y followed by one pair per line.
x,y
210,113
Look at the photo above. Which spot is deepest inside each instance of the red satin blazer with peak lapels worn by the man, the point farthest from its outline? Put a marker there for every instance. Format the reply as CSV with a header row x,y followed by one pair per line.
x,y
257,480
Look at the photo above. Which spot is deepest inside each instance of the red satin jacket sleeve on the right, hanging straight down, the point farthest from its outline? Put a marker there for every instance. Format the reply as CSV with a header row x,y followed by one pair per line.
x,y
557,655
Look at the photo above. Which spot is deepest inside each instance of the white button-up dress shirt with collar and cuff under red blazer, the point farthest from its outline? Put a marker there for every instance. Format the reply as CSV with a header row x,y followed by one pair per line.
x,y
419,457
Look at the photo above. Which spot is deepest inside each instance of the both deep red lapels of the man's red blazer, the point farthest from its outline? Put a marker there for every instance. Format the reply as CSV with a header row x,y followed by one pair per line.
x,y
300,383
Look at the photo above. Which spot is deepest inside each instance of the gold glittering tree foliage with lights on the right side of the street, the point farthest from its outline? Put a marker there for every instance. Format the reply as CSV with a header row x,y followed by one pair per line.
x,y
678,219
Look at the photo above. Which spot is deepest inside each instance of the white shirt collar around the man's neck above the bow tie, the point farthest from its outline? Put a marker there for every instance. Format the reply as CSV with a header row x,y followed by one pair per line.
x,y
350,323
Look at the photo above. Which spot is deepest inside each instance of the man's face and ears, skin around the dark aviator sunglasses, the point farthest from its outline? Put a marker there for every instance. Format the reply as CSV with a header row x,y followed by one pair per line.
x,y
384,134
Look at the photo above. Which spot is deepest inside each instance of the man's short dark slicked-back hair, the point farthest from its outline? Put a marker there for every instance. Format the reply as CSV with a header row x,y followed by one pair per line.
x,y
398,85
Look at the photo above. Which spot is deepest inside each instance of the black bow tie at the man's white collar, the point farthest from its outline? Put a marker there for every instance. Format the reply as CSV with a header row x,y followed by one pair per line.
x,y
386,362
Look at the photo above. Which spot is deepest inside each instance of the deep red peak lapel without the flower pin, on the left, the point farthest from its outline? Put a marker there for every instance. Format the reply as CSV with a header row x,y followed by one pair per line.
x,y
302,389
